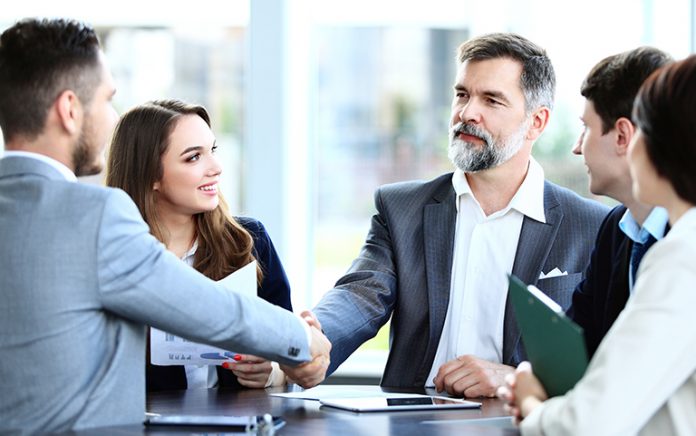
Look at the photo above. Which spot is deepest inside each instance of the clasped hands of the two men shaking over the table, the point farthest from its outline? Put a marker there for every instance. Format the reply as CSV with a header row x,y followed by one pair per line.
x,y
310,374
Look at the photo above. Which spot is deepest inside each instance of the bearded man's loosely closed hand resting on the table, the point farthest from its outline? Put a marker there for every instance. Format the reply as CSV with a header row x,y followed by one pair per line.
x,y
470,376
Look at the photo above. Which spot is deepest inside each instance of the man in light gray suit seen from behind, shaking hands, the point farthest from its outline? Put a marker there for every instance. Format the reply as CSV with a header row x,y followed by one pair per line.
x,y
81,276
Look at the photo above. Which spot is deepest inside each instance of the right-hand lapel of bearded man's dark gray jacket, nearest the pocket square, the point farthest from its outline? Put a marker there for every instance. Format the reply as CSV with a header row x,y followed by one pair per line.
x,y
533,248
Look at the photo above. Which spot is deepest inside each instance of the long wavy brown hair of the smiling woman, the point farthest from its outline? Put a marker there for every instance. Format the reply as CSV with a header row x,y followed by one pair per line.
x,y
135,163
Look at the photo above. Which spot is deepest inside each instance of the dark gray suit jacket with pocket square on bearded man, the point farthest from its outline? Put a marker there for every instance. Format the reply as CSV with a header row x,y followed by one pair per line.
x,y
404,270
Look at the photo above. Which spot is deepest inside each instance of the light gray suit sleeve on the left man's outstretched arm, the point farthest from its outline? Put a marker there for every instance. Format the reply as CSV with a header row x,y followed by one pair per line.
x,y
140,280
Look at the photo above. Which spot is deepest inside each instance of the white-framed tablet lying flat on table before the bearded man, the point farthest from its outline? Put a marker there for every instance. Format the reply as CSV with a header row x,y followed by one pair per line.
x,y
389,404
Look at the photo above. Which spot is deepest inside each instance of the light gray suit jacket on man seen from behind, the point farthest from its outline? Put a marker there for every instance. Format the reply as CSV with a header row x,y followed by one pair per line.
x,y
80,278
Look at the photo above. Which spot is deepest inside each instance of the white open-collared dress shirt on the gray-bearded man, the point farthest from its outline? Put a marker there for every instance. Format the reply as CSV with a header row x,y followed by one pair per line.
x,y
484,253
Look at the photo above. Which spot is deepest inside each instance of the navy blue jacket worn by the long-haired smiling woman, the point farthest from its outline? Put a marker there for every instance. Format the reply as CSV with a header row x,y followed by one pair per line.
x,y
274,288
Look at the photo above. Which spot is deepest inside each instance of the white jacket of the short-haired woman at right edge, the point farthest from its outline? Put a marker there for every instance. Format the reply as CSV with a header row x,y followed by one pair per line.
x,y
642,380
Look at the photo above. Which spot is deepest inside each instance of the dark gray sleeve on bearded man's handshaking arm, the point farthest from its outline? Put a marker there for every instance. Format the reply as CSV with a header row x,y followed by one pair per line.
x,y
361,301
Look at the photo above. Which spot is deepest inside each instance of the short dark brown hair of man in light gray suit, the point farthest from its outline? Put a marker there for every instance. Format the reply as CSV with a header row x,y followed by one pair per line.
x,y
39,59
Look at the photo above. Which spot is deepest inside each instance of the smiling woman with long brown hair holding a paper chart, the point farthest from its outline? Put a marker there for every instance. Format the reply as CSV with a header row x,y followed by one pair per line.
x,y
163,155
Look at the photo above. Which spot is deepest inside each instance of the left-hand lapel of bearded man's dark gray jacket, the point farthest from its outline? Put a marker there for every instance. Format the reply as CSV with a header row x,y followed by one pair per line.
x,y
439,221
